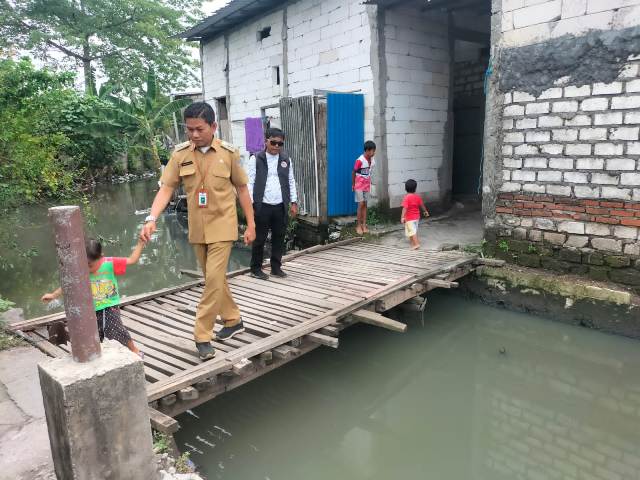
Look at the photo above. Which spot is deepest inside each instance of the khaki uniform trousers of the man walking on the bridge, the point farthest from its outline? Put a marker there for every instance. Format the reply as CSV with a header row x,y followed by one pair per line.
x,y
216,298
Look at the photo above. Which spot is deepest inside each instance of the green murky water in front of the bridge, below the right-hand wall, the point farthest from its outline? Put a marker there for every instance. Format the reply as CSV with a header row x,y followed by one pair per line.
x,y
439,402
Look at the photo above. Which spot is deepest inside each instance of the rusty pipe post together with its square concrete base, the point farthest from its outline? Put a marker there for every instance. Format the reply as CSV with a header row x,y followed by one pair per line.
x,y
95,401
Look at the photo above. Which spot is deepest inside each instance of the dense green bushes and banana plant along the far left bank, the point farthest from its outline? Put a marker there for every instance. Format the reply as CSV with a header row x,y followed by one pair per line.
x,y
54,139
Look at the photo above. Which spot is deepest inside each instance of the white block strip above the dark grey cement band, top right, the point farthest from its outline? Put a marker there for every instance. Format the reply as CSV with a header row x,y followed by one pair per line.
x,y
533,21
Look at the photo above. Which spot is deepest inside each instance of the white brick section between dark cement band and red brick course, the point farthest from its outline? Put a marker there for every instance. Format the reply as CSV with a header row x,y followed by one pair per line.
x,y
588,148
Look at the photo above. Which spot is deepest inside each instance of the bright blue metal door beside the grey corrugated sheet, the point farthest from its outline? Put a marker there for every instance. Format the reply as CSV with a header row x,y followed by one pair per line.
x,y
345,138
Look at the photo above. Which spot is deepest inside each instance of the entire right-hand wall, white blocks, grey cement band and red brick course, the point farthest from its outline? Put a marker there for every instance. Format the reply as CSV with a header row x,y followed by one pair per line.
x,y
566,169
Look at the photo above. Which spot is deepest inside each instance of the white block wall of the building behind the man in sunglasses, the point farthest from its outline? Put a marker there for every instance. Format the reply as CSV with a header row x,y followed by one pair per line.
x,y
329,44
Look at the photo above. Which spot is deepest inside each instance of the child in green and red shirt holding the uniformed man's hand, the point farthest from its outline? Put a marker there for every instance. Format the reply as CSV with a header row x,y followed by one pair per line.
x,y
104,288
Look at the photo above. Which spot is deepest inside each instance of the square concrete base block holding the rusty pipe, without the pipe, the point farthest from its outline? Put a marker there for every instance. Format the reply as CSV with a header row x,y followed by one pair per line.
x,y
97,416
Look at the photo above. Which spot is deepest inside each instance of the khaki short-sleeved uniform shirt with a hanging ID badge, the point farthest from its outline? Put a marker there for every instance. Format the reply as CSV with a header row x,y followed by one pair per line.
x,y
218,221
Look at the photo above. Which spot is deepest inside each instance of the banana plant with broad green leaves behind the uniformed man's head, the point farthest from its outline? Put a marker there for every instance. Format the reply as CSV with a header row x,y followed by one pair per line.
x,y
143,118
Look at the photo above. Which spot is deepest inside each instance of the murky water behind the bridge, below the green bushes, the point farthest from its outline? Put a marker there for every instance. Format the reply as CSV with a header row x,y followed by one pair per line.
x,y
118,212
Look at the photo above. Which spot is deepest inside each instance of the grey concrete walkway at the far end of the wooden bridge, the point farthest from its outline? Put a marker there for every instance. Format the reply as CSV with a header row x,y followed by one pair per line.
x,y
461,227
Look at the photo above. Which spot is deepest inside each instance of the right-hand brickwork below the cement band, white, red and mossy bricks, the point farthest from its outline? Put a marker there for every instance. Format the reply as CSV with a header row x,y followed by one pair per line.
x,y
571,178
